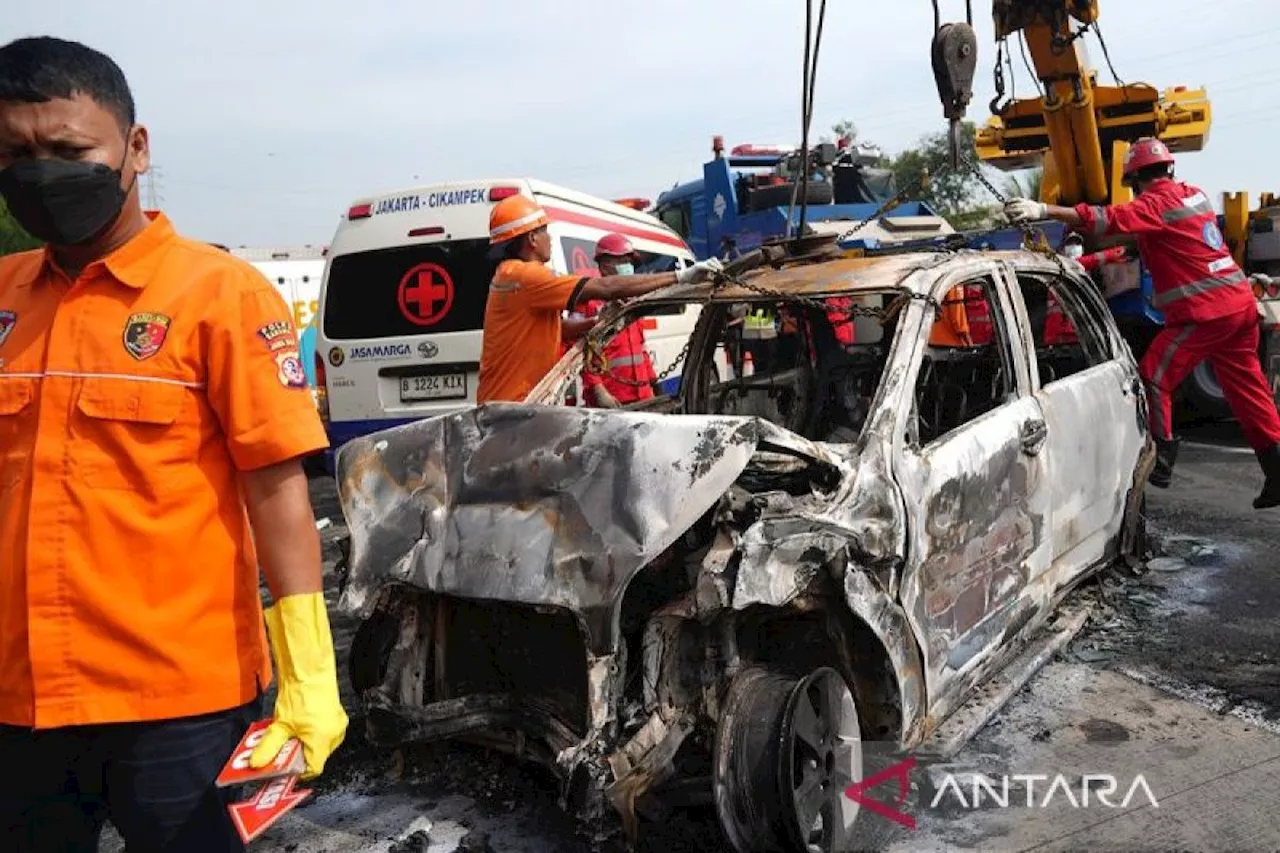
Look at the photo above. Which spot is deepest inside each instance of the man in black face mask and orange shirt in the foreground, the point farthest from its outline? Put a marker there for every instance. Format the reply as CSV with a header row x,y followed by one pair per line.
x,y
148,382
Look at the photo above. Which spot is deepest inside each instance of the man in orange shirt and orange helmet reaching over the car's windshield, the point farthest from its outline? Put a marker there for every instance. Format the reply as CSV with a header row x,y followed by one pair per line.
x,y
527,300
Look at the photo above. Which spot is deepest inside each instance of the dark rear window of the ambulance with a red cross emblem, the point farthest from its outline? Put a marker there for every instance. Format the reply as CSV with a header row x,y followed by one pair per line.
x,y
409,290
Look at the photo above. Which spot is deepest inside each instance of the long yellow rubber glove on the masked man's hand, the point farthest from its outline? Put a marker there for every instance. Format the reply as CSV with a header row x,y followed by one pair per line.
x,y
307,678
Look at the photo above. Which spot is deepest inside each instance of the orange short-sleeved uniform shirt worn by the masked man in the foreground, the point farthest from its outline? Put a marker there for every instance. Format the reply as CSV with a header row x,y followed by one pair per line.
x,y
130,400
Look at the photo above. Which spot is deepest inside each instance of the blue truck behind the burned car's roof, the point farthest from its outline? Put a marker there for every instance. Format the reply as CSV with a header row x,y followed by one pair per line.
x,y
753,195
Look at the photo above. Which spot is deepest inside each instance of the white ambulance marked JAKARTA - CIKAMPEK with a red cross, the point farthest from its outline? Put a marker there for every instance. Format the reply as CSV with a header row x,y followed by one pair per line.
x,y
406,282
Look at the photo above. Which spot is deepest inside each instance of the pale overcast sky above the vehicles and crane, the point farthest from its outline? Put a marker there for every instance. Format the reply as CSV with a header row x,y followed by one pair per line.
x,y
268,117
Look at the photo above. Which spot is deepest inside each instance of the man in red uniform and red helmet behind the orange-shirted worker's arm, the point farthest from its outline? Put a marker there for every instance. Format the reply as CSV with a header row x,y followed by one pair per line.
x,y
629,375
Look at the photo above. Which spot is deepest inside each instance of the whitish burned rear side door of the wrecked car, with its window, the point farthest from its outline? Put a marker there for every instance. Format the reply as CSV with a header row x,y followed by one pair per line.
x,y
1089,390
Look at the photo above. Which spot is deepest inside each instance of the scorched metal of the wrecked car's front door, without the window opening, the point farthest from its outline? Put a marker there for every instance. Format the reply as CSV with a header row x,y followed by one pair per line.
x,y
979,519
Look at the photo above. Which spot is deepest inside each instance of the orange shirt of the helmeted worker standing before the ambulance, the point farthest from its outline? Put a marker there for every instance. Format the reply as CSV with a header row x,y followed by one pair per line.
x,y
523,329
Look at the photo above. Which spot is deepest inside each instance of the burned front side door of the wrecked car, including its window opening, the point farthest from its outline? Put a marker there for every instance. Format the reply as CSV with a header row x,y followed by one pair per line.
x,y
970,460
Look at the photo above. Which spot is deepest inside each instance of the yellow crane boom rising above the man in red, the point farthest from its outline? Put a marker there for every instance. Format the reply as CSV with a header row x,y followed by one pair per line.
x,y
1081,131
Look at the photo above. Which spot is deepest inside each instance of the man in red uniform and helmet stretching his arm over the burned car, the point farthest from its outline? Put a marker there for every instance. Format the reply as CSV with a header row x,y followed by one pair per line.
x,y
1210,309
